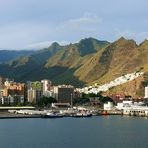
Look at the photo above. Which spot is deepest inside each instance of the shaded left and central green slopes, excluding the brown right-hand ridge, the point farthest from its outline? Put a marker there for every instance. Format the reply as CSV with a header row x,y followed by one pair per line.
x,y
57,63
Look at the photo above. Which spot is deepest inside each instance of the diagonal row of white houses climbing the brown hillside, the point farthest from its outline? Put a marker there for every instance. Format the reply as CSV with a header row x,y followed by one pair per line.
x,y
120,80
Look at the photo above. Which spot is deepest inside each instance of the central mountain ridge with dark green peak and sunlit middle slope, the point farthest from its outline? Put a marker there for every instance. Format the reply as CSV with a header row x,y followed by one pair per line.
x,y
72,57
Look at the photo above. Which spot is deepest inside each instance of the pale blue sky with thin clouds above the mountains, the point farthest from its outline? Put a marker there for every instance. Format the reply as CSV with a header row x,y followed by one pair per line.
x,y
35,24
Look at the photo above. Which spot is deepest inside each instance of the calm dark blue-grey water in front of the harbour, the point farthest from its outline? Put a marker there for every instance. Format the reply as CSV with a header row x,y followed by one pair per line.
x,y
95,132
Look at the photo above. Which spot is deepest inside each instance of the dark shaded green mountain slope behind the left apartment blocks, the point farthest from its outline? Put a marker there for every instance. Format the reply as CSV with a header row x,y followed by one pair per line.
x,y
29,67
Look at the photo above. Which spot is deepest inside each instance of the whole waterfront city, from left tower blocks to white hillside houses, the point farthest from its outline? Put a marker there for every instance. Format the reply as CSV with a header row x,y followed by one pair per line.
x,y
43,98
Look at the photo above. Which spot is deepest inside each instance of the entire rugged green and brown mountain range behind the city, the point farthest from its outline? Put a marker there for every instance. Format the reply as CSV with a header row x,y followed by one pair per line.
x,y
86,62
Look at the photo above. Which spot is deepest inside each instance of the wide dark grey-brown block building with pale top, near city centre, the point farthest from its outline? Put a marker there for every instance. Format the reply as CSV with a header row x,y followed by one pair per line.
x,y
63,93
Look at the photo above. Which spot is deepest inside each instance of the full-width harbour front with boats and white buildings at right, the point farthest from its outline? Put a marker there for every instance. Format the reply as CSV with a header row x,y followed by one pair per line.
x,y
126,108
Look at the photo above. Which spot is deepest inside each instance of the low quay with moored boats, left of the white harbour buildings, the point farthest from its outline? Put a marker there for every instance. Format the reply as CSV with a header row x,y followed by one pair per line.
x,y
75,112
